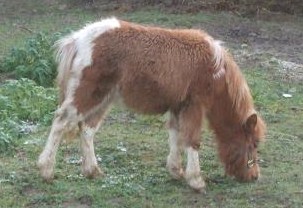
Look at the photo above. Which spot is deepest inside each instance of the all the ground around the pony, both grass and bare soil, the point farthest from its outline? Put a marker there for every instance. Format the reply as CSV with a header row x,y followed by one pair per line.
x,y
132,148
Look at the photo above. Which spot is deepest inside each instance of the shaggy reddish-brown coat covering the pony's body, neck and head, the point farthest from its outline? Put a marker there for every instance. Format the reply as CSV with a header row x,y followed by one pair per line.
x,y
155,70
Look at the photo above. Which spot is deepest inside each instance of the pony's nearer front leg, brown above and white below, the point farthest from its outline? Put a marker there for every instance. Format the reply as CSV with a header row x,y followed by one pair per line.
x,y
190,121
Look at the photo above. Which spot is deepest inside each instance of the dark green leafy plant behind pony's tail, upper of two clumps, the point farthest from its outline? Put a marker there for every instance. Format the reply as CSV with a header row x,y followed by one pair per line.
x,y
34,61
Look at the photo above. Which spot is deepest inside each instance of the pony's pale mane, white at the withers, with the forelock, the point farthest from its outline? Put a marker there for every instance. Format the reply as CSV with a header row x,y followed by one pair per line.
x,y
239,99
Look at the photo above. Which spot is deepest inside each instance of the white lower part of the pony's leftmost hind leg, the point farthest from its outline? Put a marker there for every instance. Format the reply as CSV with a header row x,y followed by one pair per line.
x,y
66,118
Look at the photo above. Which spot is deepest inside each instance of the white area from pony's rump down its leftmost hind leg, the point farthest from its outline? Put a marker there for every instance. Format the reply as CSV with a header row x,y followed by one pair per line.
x,y
74,53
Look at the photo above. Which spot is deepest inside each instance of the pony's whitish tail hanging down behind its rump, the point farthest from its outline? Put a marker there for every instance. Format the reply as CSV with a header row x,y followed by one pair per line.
x,y
66,51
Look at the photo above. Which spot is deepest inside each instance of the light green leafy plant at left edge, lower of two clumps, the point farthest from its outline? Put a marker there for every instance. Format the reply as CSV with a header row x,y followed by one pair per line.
x,y
23,103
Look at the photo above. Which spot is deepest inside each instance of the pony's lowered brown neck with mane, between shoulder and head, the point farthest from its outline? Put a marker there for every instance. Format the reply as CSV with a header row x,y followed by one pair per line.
x,y
232,102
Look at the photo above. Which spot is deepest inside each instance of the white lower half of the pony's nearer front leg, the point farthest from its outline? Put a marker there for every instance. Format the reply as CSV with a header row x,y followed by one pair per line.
x,y
192,173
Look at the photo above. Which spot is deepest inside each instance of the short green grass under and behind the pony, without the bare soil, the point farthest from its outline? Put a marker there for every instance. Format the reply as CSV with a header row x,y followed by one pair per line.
x,y
132,148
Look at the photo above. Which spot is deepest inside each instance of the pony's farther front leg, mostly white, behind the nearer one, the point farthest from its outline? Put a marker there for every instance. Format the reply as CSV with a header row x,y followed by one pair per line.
x,y
174,162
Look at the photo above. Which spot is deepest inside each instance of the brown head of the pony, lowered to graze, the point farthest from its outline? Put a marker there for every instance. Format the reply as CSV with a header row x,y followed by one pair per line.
x,y
239,154
